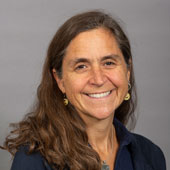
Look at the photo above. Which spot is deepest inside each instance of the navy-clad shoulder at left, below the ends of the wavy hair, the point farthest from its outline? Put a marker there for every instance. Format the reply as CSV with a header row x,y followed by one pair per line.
x,y
34,161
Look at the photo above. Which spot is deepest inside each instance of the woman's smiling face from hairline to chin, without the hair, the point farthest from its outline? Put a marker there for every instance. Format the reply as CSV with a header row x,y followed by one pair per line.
x,y
94,74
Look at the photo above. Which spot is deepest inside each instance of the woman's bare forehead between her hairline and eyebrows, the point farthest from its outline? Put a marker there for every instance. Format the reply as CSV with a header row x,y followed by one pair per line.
x,y
94,43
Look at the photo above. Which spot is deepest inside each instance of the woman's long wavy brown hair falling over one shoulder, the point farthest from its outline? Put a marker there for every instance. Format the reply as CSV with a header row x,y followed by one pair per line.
x,y
56,130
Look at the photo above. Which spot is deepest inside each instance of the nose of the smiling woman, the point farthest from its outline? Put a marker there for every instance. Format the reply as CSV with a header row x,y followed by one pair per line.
x,y
97,78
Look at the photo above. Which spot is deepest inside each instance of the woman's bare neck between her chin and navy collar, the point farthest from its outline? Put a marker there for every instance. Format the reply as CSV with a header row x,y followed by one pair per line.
x,y
102,138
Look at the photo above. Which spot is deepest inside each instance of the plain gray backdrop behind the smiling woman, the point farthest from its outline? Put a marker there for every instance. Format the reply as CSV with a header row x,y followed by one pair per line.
x,y
26,28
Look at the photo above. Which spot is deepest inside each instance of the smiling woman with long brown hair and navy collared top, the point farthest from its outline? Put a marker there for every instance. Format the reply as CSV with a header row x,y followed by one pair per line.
x,y
85,99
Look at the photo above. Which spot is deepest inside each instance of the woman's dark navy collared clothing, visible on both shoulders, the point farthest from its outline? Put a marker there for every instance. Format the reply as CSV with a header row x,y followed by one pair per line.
x,y
144,154
